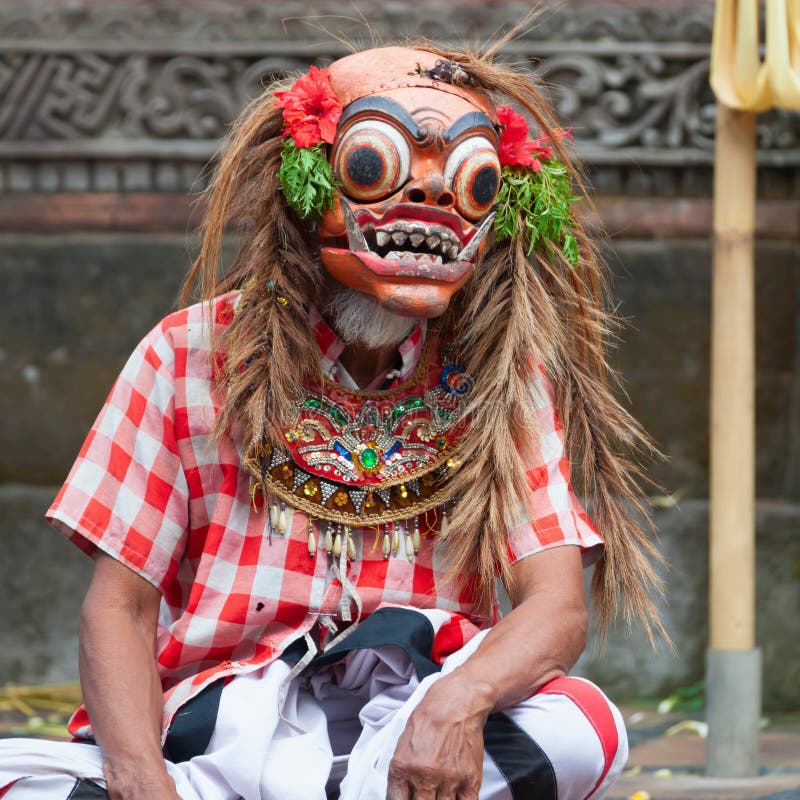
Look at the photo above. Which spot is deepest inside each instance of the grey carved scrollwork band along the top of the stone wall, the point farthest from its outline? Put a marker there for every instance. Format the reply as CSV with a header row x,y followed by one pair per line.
x,y
124,97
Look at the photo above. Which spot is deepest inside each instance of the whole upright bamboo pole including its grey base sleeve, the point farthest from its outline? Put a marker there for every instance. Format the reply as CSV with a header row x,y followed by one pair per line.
x,y
733,708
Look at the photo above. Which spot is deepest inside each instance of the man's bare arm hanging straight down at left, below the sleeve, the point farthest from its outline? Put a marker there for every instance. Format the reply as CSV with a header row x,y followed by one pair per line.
x,y
120,683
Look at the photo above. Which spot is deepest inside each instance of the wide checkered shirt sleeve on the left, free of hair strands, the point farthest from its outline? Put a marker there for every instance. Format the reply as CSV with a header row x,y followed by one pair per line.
x,y
126,494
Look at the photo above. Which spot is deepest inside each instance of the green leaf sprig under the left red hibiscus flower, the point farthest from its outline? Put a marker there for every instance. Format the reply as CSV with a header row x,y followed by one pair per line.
x,y
306,179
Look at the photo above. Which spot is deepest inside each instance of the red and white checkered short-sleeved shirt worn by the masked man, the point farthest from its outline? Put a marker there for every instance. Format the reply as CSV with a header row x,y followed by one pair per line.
x,y
154,489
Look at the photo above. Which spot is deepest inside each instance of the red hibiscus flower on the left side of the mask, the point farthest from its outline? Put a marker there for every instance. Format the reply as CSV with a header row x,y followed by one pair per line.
x,y
311,110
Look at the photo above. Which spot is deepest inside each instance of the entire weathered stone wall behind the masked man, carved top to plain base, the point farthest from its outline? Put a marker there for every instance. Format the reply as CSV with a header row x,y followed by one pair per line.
x,y
109,112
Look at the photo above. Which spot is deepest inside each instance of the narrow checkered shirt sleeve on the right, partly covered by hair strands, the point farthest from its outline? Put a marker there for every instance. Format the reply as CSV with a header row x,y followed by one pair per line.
x,y
551,515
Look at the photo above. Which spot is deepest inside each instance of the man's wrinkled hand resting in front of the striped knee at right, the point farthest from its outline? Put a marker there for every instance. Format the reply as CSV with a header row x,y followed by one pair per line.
x,y
440,754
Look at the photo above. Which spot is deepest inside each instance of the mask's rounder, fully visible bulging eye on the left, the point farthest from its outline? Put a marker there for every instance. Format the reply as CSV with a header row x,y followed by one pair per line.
x,y
371,160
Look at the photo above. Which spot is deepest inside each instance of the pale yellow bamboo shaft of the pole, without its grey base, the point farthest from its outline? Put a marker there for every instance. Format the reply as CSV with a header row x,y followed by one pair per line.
x,y
733,385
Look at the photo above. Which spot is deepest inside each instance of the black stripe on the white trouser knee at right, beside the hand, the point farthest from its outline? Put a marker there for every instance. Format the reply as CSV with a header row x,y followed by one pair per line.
x,y
524,764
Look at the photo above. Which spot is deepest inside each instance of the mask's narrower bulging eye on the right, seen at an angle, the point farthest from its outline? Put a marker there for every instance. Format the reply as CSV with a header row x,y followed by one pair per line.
x,y
472,172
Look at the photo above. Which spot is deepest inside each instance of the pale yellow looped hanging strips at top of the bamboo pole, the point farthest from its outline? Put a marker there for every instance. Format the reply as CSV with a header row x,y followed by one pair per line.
x,y
739,77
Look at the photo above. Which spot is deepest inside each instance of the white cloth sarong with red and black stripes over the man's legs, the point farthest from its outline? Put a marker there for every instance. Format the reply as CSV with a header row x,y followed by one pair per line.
x,y
344,722
